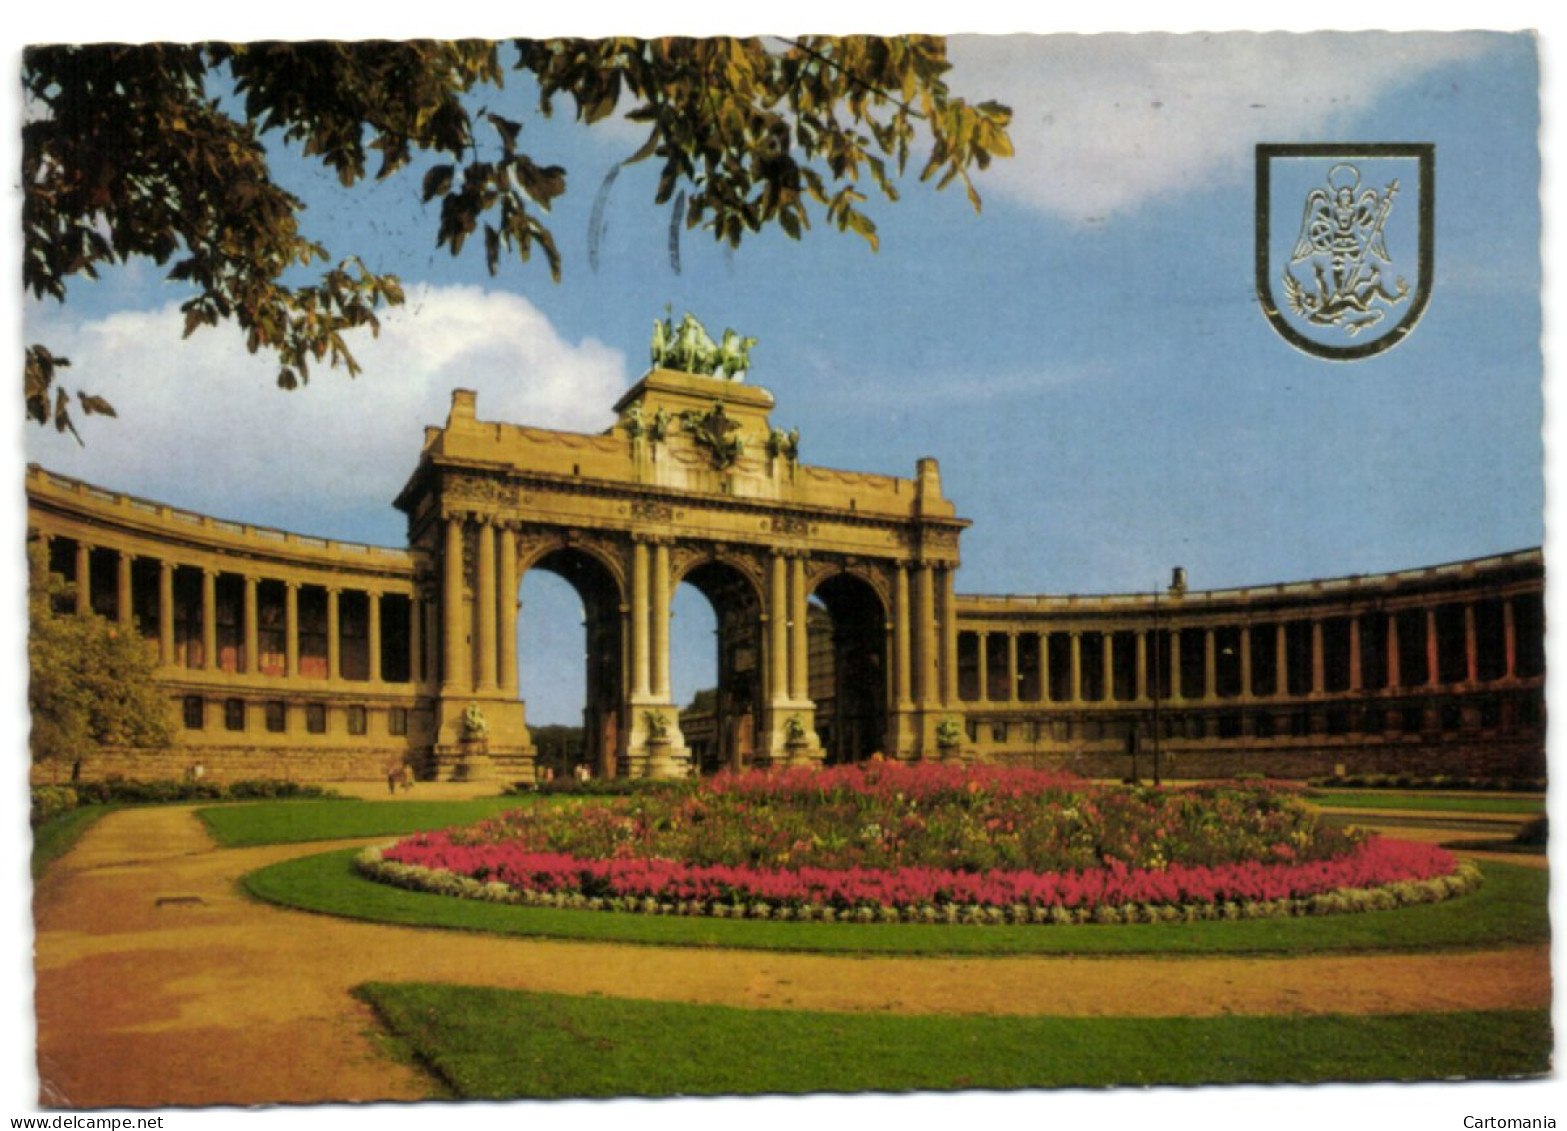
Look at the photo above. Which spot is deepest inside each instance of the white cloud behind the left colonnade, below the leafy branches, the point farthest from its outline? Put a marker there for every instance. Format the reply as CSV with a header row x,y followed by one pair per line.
x,y
203,425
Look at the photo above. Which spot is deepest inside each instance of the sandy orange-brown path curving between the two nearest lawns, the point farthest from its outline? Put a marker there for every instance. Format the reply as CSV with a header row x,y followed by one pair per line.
x,y
159,985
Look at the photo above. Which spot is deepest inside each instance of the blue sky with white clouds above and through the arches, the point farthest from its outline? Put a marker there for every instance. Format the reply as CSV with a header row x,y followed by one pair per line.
x,y
1085,356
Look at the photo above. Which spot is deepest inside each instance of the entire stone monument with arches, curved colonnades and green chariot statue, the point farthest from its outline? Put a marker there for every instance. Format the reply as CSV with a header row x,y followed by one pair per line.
x,y
839,632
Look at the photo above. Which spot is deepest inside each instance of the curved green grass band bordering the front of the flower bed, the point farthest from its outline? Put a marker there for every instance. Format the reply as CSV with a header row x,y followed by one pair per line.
x,y
1511,908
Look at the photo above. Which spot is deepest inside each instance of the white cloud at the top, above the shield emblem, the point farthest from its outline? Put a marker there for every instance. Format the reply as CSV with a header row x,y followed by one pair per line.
x,y
1104,125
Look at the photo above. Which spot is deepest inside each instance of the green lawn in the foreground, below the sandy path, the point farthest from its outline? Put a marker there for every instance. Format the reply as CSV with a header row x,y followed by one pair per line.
x,y
510,1044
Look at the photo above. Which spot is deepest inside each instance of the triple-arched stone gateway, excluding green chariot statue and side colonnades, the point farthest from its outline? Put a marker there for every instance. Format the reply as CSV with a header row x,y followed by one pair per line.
x,y
692,485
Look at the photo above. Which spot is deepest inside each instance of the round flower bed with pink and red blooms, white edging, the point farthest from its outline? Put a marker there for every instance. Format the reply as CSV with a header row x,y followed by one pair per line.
x,y
928,844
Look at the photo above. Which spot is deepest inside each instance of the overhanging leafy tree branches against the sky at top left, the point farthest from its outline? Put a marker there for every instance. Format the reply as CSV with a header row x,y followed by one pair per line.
x,y
129,153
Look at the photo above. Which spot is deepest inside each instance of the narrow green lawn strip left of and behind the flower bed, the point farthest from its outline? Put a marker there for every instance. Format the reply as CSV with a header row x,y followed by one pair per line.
x,y
292,823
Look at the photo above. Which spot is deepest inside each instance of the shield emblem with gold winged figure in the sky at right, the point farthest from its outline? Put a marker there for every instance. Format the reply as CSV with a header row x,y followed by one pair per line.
x,y
1345,244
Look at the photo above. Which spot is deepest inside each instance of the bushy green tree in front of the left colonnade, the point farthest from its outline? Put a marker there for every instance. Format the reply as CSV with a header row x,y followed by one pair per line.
x,y
90,682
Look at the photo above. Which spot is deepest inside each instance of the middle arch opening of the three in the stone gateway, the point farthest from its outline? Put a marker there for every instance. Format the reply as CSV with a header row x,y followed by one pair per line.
x,y
723,720
